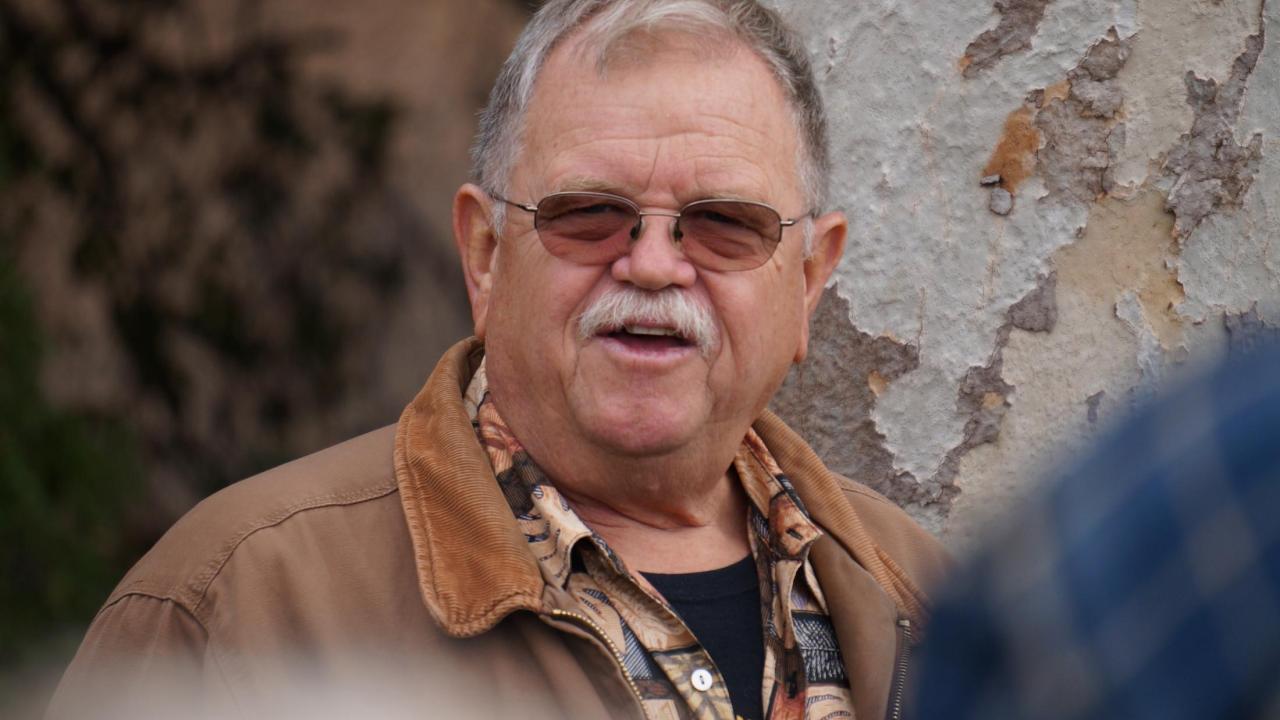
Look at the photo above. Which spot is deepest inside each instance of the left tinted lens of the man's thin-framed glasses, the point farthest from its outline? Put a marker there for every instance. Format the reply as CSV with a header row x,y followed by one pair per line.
x,y
584,227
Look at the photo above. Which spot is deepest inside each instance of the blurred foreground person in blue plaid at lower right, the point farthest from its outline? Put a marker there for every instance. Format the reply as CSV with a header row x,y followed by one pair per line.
x,y
1144,585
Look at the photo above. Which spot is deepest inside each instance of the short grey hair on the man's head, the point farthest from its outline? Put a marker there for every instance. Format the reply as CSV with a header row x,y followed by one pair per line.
x,y
607,22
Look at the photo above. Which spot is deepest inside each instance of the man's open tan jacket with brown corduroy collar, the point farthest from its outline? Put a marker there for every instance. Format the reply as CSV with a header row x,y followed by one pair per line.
x,y
303,591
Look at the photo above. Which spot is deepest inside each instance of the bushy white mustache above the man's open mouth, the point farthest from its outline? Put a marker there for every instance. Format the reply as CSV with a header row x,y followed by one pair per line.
x,y
669,308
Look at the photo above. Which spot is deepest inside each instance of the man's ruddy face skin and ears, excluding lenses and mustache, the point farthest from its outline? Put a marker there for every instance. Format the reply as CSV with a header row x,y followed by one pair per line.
x,y
670,127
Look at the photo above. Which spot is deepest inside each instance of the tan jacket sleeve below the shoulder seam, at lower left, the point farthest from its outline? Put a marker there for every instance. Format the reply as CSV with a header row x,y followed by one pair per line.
x,y
144,657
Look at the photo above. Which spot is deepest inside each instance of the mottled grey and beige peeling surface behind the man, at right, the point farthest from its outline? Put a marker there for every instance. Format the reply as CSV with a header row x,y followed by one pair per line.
x,y
1055,207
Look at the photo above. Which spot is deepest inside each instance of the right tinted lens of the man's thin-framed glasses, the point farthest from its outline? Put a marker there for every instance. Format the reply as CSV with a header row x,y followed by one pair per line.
x,y
728,235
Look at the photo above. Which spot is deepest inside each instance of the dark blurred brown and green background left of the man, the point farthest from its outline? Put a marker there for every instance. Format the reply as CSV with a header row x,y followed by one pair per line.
x,y
220,207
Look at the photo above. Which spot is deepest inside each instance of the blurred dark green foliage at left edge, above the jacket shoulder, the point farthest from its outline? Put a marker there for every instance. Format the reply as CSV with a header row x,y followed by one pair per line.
x,y
66,481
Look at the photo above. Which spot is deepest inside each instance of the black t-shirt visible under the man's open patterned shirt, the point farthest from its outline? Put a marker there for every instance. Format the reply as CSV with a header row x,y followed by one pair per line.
x,y
723,608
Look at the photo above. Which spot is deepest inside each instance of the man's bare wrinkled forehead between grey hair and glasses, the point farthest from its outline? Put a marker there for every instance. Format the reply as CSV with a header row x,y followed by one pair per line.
x,y
711,86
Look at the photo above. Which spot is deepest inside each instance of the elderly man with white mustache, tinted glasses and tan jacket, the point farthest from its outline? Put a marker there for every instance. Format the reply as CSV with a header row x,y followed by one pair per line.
x,y
588,511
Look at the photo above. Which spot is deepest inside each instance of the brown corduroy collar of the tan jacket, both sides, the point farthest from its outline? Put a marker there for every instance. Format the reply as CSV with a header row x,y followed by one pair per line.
x,y
473,563
